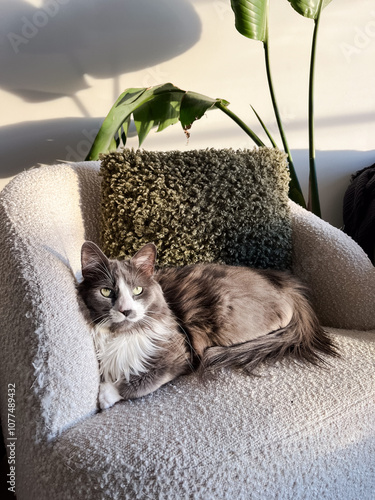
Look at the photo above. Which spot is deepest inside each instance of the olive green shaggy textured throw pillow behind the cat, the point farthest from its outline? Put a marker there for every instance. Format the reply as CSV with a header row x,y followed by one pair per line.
x,y
198,206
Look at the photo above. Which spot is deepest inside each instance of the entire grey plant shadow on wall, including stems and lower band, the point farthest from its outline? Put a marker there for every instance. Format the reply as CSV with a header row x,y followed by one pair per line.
x,y
47,51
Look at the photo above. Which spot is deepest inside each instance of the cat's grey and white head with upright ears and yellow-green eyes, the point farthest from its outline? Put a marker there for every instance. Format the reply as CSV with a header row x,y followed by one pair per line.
x,y
120,294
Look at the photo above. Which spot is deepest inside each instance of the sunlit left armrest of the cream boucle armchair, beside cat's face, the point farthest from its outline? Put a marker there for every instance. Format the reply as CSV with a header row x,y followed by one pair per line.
x,y
46,345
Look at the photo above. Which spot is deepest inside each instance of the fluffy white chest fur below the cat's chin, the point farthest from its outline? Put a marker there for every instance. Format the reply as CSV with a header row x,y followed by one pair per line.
x,y
128,354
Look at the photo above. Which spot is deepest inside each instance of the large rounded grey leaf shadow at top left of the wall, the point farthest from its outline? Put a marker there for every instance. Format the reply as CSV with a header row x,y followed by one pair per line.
x,y
47,51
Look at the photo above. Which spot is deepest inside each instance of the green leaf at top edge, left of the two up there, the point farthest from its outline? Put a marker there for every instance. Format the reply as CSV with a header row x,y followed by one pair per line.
x,y
251,18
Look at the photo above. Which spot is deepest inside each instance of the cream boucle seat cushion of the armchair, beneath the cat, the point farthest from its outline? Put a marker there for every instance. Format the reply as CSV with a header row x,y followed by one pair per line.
x,y
286,434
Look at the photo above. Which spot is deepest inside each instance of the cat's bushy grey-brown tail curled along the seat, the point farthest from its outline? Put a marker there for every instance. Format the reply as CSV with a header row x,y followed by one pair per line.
x,y
303,340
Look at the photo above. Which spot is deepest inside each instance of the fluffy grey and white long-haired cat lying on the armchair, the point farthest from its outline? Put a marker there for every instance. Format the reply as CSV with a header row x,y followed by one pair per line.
x,y
153,325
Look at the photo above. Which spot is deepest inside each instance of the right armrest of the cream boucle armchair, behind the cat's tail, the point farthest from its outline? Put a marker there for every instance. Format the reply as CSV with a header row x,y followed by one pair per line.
x,y
338,272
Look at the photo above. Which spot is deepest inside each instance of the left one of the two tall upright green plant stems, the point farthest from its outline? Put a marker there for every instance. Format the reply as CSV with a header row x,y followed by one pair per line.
x,y
295,191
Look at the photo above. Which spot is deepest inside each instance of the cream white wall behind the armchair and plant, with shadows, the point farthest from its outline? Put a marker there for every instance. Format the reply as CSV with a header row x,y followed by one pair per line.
x,y
64,62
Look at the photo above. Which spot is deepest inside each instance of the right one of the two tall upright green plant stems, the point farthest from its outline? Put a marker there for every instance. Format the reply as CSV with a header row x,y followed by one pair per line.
x,y
313,202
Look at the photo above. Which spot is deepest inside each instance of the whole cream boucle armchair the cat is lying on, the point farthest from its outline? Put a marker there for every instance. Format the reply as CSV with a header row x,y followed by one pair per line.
x,y
293,433
